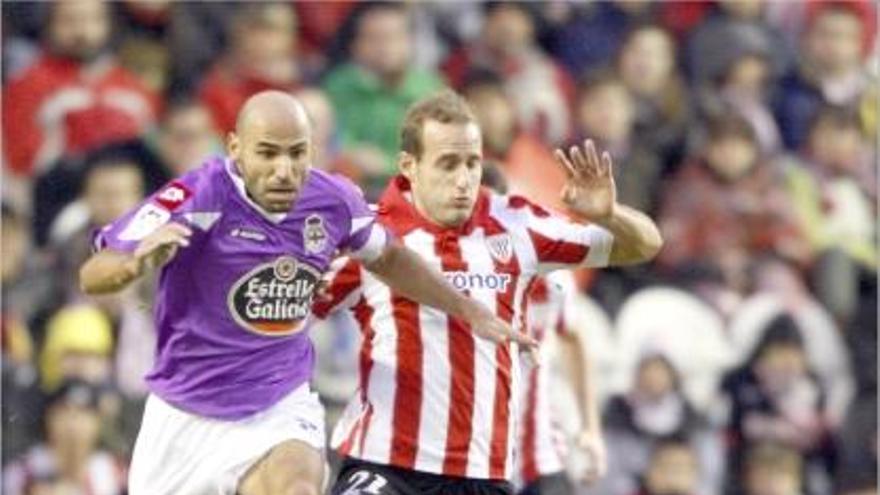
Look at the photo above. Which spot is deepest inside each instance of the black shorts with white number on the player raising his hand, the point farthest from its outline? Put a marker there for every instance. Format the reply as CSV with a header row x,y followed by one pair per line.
x,y
358,477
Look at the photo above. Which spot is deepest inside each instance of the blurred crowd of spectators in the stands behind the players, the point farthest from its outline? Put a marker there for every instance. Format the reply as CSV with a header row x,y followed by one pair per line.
x,y
742,361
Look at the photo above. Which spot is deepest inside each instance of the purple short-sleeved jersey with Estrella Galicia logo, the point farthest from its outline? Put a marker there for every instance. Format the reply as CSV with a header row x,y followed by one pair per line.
x,y
233,307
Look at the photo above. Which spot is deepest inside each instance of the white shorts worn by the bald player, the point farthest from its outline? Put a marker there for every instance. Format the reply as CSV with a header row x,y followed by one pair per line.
x,y
178,453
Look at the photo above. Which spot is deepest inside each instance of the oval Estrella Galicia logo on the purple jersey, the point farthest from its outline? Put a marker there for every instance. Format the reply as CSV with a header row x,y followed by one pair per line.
x,y
275,298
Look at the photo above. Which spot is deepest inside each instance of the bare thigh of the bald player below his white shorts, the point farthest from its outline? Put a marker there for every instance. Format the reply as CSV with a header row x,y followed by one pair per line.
x,y
292,467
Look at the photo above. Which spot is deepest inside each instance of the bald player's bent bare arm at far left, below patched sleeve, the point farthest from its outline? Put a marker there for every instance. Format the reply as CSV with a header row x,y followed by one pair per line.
x,y
110,271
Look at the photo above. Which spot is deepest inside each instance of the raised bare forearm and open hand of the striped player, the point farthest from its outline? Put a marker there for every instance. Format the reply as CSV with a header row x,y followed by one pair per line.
x,y
590,192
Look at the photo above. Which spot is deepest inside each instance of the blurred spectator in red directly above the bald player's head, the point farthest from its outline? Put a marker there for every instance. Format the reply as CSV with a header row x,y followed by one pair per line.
x,y
262,56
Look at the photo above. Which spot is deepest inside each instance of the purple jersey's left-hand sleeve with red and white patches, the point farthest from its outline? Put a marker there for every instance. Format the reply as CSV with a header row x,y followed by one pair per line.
x,y
168,204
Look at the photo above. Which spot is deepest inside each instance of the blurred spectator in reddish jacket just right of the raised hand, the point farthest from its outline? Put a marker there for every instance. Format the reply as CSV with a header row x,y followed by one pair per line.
x,y
725,206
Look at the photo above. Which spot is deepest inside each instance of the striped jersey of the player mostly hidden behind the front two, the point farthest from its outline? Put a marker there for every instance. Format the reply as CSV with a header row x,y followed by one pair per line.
x,y
541,444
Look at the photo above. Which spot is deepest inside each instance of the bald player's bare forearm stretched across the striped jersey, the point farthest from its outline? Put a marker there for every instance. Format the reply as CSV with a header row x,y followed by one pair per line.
x,y
405,272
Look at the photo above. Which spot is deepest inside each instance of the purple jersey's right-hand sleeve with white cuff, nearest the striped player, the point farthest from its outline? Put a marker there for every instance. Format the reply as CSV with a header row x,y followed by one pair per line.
x,y
366,238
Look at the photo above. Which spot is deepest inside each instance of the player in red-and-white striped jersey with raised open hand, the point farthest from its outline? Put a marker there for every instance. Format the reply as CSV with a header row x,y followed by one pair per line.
x,y
437,409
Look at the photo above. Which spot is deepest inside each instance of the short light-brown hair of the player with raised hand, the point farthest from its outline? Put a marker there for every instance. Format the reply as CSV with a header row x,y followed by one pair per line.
x,y
446,107
